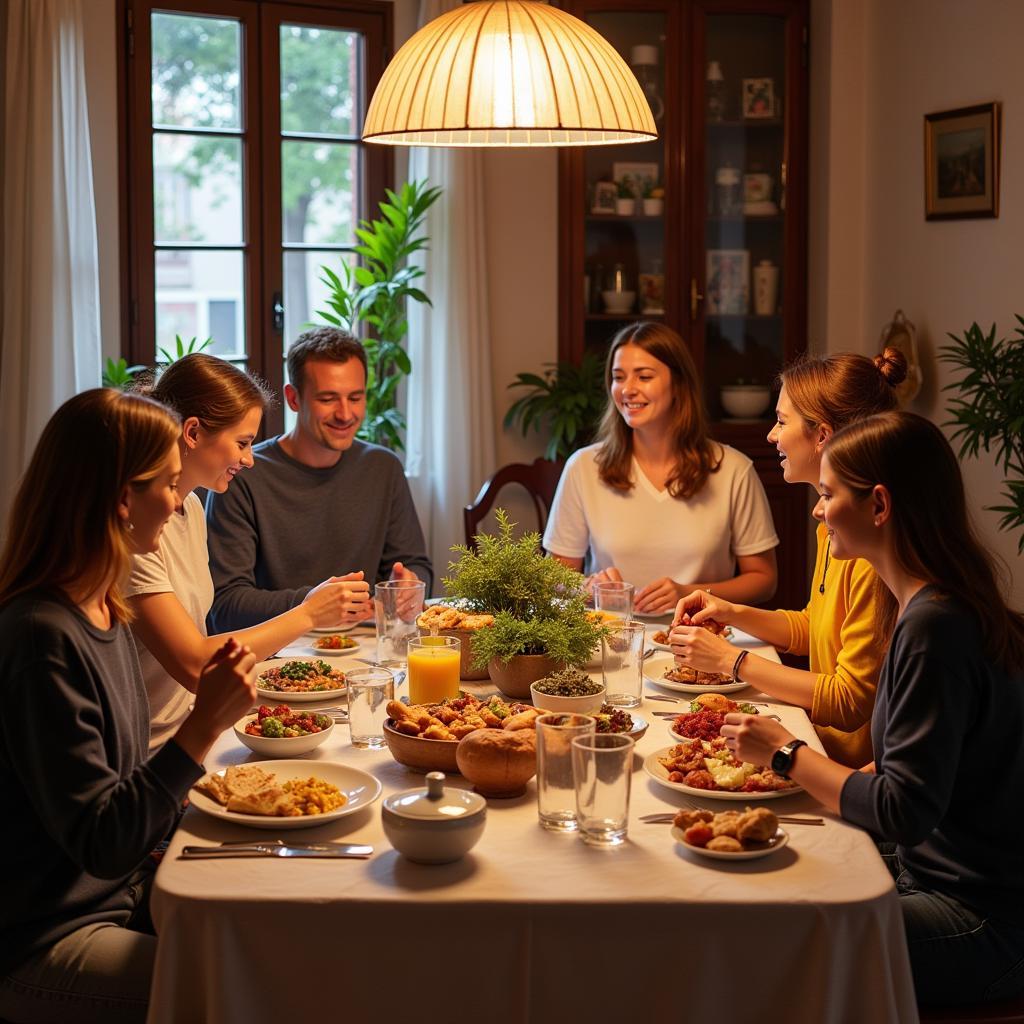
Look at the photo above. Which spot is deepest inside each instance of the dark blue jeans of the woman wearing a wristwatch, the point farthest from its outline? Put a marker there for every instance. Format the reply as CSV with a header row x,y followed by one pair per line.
x,y
958,957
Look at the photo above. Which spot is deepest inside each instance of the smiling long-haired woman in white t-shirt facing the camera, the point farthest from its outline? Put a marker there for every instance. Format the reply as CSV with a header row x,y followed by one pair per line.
x,y
657,502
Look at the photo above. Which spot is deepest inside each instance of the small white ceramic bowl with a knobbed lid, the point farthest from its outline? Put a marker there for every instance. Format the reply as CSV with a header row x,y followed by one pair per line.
x,y
436,825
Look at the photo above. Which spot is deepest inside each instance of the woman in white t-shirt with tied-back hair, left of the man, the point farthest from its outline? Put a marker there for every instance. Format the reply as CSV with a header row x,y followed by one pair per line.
x,y
170,591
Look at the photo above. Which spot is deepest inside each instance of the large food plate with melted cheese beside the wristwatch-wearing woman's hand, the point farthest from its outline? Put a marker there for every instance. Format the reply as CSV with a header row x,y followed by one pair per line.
x,y
708,769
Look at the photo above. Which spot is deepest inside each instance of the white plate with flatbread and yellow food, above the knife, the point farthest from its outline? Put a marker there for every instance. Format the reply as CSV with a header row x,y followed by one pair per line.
x,y
285,794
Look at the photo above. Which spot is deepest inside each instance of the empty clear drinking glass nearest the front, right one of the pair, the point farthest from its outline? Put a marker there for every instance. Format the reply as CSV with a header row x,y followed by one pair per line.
x,y
603,771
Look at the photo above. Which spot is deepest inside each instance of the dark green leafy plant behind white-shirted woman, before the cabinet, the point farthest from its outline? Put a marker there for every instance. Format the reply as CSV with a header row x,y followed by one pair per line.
x,y
568,401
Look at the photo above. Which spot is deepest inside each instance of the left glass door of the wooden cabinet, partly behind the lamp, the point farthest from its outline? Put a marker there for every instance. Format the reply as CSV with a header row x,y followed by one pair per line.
x,y
626,195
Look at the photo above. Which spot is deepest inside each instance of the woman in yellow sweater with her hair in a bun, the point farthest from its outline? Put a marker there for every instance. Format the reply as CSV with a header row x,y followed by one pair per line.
x,y
819,397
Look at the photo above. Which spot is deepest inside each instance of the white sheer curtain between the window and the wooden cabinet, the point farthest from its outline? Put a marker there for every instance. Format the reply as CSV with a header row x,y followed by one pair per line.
x,y
451,437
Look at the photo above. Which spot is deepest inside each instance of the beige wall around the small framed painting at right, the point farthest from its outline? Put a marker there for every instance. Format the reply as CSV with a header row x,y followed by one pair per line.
x,y
873,251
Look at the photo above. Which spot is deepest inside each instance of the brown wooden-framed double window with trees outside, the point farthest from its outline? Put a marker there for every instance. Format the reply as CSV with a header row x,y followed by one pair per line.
x,y
244,167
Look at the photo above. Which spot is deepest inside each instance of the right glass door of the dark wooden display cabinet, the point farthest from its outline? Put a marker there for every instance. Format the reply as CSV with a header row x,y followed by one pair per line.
x,y
738,285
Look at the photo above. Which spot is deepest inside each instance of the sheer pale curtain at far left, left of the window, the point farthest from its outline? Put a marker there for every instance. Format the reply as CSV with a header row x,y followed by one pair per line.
x,y
51,345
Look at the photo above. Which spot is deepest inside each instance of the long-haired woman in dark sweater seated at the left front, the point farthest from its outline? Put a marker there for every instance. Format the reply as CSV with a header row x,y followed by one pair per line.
x,y
89,802
